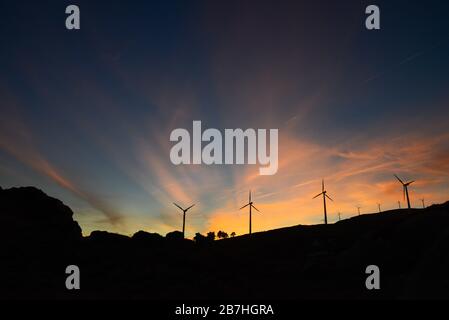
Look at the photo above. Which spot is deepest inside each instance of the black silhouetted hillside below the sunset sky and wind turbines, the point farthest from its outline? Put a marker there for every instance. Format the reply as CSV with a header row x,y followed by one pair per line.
x,y
39,239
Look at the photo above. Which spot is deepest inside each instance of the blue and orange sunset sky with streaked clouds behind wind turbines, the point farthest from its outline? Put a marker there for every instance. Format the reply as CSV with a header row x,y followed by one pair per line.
x,y
86,115
